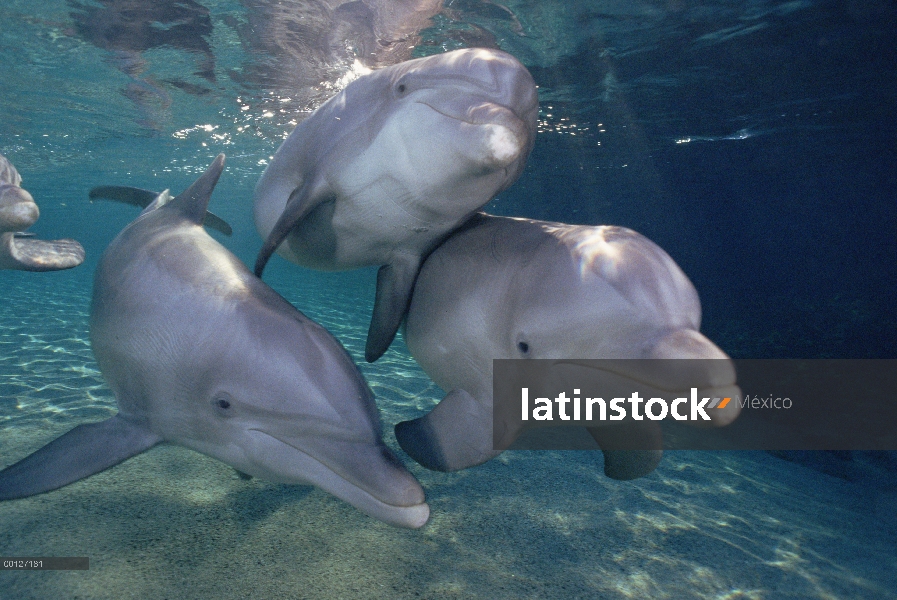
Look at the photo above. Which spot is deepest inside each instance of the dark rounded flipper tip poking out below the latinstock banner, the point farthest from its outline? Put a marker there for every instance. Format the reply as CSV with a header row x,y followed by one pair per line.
x,y
630,450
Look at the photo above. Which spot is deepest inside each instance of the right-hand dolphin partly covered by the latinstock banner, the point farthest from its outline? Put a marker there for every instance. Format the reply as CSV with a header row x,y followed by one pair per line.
x,y
517,288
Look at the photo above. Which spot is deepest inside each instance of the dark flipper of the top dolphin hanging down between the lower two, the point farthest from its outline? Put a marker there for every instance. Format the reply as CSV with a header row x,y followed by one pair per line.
x,y
394,284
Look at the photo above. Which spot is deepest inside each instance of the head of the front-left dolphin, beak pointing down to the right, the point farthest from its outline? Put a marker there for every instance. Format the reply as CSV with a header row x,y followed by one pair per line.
x,y
281,400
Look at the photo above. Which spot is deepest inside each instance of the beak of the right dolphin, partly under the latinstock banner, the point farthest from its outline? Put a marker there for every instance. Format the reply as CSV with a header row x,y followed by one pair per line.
x,y
675,363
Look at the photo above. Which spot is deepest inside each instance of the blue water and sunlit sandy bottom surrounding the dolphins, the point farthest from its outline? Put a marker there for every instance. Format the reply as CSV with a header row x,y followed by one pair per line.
x,y
756,142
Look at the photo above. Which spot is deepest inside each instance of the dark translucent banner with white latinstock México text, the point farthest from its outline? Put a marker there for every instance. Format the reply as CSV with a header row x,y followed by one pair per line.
x,y
695,404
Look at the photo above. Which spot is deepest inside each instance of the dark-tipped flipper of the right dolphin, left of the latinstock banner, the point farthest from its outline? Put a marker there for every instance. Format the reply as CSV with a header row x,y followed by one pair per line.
x,y
455,435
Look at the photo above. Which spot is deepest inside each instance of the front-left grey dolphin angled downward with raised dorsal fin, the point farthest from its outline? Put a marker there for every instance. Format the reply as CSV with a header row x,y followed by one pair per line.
x,y
201,353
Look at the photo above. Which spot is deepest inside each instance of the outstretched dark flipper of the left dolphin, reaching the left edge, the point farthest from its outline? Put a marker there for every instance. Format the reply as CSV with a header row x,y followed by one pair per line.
x,y
83,451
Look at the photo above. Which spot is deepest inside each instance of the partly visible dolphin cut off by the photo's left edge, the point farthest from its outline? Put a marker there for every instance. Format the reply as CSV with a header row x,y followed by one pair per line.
x,y
21,251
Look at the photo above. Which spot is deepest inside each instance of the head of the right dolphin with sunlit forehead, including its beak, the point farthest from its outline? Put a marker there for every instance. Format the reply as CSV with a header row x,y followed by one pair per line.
x,y
622,297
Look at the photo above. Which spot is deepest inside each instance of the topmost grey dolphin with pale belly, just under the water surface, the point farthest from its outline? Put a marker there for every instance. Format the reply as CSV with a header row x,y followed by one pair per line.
x,y
385,169
